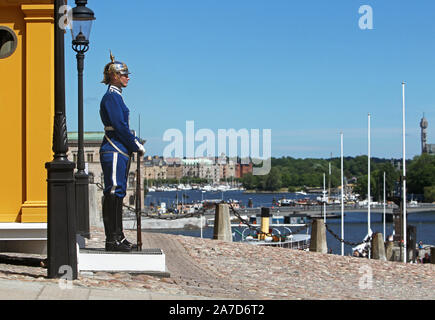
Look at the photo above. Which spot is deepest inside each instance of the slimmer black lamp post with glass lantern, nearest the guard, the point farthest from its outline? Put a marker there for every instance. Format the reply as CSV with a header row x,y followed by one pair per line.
x,y
81,29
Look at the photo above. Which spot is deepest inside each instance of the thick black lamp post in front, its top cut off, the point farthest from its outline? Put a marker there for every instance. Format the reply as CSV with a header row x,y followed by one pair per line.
x,y
61,232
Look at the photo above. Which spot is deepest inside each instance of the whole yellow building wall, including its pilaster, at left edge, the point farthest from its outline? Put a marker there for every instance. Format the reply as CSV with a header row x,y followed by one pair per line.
x,y
26,110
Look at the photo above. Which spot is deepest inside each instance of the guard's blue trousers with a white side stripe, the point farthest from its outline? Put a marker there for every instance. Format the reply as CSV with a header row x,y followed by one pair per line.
x,y
115,170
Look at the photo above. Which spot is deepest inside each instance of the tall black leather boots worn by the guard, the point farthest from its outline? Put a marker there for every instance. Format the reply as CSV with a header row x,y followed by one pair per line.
x,y
113,241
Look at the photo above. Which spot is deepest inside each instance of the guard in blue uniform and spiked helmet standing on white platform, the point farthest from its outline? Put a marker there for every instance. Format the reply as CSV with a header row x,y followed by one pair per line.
x,y
116,149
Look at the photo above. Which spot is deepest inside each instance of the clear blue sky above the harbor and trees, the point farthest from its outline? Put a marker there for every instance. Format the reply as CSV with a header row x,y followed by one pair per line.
x,y
303,69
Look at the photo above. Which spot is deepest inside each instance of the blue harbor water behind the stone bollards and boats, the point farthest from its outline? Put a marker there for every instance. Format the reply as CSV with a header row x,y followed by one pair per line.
x,y
355,223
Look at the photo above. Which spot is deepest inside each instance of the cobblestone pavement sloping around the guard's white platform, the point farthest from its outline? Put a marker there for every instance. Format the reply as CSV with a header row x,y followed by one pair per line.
x,y
216,269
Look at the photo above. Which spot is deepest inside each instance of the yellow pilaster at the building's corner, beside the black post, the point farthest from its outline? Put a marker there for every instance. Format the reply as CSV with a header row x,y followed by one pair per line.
x,y
39,108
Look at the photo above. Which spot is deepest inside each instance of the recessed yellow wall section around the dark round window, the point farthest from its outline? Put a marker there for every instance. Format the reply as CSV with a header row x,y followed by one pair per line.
x,y
11,112
